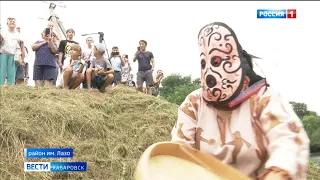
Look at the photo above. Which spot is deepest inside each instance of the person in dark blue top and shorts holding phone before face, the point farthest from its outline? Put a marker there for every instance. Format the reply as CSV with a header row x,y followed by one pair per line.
x,y
45,61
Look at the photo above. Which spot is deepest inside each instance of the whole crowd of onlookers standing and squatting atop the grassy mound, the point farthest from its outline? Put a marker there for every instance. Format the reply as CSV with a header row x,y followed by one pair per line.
x,y
65,64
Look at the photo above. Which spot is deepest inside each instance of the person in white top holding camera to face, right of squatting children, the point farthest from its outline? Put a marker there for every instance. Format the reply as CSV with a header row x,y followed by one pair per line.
x,y
117,63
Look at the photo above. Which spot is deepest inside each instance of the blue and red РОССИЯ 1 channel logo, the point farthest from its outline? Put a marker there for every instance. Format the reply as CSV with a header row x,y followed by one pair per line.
x,y
276,14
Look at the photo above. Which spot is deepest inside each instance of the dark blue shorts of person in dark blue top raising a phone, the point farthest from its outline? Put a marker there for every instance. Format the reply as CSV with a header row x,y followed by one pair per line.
x,y
44,72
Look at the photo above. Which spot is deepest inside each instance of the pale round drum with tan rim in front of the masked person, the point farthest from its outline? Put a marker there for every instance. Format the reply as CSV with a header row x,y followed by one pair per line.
x,y
167,160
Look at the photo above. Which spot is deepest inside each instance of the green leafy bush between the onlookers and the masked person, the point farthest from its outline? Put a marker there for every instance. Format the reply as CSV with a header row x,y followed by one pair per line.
x,y
175,87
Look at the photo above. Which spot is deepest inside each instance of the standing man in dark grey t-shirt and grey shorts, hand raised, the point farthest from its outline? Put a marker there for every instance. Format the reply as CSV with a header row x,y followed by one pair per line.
x,y
145,67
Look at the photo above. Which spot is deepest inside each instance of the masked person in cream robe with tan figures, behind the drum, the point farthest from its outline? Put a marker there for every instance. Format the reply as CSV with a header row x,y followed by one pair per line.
x,y
237,117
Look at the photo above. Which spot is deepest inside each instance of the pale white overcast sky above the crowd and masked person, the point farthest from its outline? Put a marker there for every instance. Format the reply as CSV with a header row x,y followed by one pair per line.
x,y
287,46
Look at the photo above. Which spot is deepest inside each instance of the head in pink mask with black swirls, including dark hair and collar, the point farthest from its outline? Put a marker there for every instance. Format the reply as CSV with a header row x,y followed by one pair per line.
x,y
227,76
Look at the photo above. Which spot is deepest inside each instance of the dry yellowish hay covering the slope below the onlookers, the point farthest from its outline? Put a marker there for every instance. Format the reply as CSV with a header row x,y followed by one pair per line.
x,y
109,131
